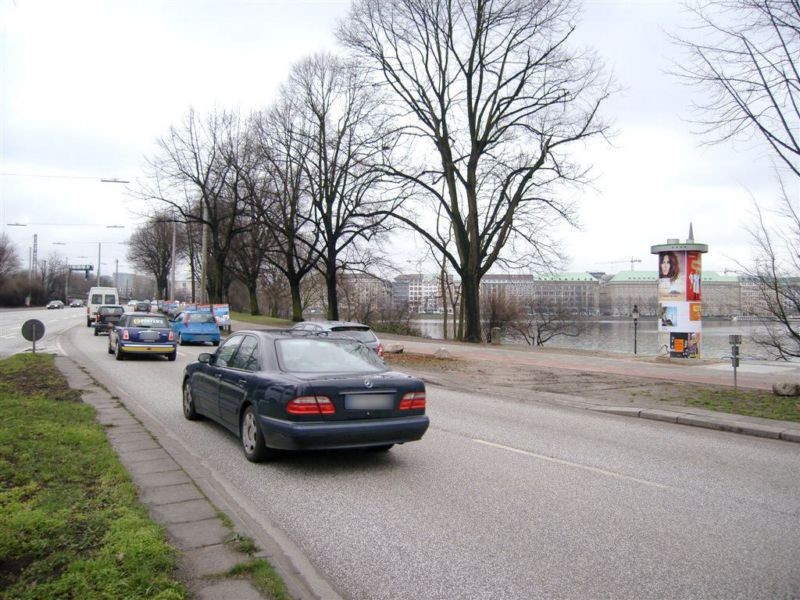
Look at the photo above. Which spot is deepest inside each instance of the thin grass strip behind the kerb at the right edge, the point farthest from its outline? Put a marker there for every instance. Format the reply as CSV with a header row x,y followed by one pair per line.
x,y
749,403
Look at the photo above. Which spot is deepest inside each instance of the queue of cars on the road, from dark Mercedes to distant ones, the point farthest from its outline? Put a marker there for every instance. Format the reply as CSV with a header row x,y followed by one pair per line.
x,y
317,386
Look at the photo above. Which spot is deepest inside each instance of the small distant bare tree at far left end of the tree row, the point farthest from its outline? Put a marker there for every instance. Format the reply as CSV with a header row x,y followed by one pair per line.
x,y
150,249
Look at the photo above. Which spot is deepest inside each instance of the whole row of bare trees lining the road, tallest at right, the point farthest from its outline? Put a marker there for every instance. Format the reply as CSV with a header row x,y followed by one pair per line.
x,y
452,120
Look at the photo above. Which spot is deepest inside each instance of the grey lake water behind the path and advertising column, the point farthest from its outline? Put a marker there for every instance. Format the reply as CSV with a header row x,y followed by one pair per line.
x,y
617,336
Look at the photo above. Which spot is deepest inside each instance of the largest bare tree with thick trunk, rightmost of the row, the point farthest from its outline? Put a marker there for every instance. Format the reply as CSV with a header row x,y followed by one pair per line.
x,y
492,97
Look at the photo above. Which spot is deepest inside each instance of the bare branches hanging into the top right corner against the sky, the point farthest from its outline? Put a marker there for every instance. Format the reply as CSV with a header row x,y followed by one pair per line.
x,y
746,54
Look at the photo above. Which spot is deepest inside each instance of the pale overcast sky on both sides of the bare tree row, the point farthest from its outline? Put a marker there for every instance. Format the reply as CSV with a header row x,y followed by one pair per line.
x,y
86,88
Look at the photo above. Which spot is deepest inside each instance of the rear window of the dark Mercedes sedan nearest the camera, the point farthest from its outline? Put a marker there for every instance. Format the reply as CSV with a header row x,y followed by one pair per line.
x,y
317,355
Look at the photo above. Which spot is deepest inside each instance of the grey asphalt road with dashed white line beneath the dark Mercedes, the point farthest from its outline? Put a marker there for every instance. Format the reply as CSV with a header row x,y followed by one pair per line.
x,y
503,499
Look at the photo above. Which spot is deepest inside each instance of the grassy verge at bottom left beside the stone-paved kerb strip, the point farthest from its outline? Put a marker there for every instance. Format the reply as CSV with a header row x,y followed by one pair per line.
x,y
70,523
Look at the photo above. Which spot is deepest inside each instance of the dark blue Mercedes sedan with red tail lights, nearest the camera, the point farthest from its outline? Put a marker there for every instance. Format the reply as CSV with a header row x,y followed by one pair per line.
x,y
281,391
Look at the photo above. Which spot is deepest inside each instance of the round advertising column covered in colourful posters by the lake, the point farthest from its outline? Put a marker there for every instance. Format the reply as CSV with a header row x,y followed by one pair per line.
x,y
680,297
